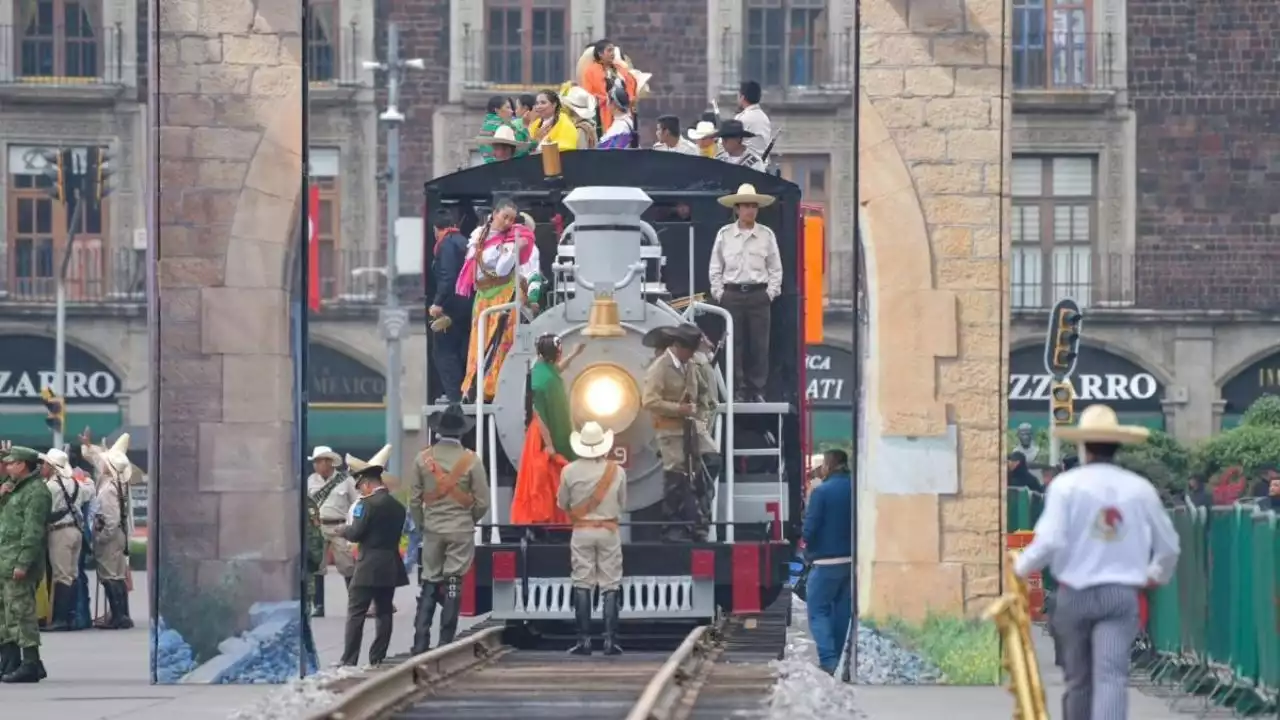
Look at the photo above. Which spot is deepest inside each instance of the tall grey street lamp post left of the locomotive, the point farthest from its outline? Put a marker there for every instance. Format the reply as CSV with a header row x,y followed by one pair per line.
x,y
394,320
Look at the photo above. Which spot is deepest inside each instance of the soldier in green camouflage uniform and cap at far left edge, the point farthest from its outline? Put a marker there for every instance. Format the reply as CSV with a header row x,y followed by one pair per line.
x,y
24,534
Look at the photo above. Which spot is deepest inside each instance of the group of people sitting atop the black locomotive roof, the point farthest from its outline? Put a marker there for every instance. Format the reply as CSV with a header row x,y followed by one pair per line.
x,y
597,112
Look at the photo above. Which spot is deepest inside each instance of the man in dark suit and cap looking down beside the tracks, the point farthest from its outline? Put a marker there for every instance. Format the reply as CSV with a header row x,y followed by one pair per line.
x,y
377,525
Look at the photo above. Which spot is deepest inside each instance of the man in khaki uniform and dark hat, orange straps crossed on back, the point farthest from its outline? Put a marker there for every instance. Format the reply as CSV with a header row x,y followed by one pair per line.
x,y
451,495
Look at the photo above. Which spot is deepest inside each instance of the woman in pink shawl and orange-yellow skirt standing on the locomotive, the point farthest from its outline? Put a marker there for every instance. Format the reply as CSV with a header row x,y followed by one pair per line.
x,y
492,274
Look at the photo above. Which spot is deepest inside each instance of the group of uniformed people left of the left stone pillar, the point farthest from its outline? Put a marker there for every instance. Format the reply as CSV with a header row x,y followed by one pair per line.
x,y
63,512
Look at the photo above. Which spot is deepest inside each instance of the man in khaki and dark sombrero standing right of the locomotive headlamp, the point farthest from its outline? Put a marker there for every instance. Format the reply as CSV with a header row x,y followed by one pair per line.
x,y
670,391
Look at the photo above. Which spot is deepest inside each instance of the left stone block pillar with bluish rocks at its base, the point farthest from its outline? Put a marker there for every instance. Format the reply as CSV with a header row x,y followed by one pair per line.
x,y
227,509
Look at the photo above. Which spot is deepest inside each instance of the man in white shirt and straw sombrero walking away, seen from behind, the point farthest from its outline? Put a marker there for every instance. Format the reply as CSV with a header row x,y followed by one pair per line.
x,y
1107,537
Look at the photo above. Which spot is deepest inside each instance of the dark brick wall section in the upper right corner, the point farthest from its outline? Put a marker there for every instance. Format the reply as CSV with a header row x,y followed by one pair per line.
x,y
1204,83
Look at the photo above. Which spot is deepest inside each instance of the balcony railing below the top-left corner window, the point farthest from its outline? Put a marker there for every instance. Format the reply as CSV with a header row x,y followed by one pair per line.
x,y
63,57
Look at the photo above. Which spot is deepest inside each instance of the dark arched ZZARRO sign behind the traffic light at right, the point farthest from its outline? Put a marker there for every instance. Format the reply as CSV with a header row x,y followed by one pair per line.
x,y
1100,377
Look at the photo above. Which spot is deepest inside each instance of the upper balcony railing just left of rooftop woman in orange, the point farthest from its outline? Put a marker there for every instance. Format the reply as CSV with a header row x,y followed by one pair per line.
x,y
496,63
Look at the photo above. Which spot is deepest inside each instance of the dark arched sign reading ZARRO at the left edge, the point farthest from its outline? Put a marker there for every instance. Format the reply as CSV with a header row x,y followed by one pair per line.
x,y
28,367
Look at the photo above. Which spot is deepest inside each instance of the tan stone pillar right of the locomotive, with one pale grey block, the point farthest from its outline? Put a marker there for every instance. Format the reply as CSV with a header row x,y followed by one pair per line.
x,y
934,153
